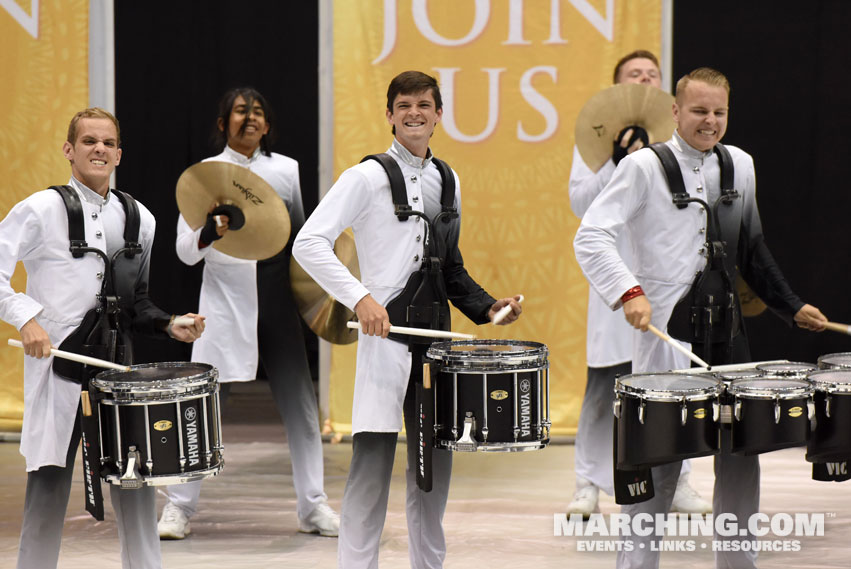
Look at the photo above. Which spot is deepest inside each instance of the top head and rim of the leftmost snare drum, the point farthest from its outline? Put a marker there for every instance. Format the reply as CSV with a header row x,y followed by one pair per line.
x,y
146,382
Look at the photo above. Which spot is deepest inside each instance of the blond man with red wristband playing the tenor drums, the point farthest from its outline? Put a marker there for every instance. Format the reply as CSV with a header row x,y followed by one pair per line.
x,y
709,227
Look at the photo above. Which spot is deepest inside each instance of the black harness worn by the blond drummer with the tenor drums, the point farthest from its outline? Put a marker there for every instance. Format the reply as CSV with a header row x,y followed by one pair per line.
x,y
709,313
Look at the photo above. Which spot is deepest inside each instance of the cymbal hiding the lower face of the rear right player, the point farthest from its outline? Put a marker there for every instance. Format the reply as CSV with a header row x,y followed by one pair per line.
x,y
611,110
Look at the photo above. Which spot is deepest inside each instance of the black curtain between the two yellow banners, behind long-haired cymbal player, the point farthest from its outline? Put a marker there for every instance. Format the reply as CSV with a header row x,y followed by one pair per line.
x,y
174,61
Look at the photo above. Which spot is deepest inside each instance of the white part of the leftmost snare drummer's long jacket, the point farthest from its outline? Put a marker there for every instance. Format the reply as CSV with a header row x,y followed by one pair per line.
x,y
60,290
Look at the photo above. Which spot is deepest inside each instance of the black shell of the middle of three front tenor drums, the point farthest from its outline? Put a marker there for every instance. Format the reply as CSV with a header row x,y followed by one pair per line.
x,y
756,431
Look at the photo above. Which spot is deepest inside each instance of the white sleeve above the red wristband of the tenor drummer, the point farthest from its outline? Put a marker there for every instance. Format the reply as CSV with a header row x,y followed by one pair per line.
x,y
595,242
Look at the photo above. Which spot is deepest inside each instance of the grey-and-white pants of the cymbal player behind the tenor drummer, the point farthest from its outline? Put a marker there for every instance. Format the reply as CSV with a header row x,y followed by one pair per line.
x,y
593,447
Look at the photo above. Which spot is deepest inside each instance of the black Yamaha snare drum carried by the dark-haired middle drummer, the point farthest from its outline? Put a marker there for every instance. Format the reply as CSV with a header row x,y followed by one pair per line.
x,y
491,395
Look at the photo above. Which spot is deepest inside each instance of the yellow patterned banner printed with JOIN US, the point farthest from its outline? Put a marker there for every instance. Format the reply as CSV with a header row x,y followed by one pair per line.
x,y
514,75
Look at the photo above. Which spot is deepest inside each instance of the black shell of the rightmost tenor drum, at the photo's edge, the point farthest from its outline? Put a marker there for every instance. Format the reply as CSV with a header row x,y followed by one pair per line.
x,y
830,440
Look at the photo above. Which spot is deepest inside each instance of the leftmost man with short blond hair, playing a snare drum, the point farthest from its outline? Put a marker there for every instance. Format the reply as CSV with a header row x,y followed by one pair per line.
x,y
61,289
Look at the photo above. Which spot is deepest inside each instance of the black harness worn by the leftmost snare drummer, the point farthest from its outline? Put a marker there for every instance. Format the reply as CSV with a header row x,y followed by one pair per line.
x,y
103,333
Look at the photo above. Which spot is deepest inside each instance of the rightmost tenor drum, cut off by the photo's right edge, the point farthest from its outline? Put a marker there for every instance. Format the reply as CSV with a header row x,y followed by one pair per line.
x,y
830,438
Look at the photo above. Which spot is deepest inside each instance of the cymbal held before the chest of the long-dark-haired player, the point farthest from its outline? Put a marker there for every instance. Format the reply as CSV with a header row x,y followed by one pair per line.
x,y
266,227
